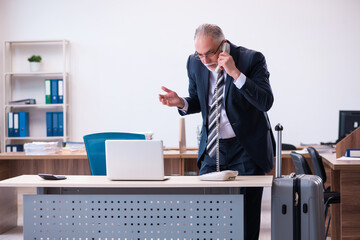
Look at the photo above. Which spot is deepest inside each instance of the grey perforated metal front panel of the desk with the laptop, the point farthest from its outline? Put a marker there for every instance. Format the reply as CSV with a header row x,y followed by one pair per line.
x,y
138,217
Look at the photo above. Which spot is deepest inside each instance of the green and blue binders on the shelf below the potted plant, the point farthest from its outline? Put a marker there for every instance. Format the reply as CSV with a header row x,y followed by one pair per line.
x,y
54,91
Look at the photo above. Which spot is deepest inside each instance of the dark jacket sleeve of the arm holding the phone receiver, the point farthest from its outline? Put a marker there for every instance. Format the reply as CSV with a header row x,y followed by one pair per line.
x,y
257,89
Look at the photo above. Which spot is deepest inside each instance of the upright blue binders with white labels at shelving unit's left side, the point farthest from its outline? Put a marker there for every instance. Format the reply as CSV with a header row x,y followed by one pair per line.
x,y
18,124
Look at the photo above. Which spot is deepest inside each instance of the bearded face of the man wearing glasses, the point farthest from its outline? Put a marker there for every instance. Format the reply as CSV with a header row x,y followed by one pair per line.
x,y
208,51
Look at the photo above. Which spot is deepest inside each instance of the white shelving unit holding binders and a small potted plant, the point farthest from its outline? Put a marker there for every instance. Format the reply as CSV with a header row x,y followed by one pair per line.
x,y
20,83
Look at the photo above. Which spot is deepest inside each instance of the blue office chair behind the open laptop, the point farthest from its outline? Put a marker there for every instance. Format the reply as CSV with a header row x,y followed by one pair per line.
x,y
95,148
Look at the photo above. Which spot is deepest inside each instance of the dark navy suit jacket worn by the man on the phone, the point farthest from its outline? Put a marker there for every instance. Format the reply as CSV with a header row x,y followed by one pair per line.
x,y
246,107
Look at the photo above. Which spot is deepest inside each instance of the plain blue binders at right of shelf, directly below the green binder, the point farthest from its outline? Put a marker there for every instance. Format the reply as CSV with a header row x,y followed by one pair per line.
x,y
54,124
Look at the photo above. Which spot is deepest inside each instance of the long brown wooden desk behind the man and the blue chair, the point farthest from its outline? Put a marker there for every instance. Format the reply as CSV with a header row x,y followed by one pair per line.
x,y
176,163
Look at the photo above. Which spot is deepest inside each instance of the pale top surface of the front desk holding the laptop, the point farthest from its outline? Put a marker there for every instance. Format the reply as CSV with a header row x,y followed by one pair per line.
x,y
83,181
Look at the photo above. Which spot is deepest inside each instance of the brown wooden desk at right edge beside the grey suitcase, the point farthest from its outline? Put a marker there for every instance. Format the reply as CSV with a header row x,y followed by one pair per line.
x,y
344,178
